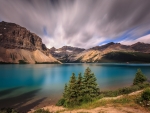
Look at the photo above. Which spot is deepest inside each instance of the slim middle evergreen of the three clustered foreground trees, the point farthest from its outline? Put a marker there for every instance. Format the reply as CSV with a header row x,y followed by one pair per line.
x,y
79,88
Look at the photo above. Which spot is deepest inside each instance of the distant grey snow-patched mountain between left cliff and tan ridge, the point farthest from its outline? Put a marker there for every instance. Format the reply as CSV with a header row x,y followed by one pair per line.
x,y
64,53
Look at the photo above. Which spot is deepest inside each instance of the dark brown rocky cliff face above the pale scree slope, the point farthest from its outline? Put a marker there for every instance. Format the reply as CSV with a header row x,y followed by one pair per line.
x,y
13,36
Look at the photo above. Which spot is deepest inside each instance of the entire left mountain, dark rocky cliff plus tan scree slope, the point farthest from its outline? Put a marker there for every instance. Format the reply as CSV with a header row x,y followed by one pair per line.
x,y
19,45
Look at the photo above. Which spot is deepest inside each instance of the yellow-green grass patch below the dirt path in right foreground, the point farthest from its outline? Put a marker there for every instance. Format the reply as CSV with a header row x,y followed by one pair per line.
x,y
124,101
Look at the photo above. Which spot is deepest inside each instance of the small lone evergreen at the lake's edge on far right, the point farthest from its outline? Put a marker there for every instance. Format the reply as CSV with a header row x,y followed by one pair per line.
x,y
139,78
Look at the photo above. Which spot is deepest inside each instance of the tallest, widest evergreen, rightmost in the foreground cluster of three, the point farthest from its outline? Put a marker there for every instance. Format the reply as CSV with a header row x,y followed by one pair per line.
x,y
90,87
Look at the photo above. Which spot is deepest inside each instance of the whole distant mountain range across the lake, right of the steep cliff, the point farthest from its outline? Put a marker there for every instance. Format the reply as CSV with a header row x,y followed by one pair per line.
x,y
111,52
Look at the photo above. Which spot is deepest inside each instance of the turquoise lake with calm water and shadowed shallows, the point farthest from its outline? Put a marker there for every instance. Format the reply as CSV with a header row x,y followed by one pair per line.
x,y
34,85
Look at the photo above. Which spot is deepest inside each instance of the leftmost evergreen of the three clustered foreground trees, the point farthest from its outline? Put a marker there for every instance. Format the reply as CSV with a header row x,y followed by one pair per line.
x,y
71,92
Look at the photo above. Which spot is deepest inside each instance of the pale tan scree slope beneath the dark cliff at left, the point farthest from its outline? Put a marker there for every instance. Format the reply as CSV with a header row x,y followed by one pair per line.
x,y
24,56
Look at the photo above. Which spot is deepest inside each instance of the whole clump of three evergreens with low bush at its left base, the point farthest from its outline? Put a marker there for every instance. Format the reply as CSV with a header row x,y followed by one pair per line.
x,y
80,90
